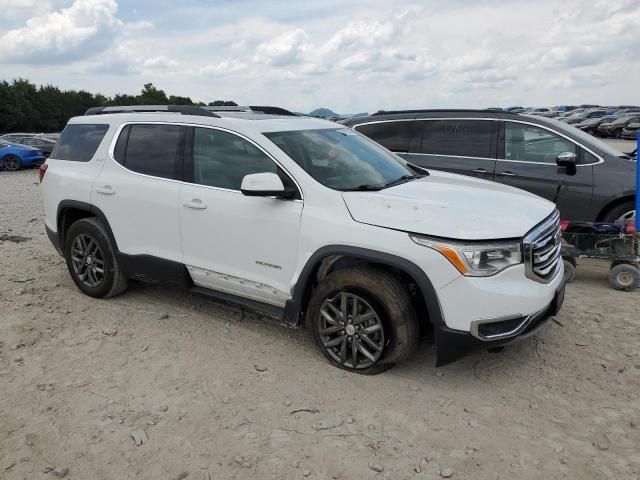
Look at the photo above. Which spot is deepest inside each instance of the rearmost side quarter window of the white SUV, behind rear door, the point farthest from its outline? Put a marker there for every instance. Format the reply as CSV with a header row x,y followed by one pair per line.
x,y
79,142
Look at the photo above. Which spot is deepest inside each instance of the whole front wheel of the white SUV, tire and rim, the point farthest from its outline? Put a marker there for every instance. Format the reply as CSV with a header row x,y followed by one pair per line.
x,y
363,320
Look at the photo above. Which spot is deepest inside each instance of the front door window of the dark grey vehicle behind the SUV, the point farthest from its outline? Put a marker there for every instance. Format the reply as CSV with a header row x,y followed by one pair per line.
x,y
533,144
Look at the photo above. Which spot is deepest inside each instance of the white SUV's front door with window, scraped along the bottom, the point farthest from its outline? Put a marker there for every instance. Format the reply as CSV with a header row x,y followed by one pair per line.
x,y
232,243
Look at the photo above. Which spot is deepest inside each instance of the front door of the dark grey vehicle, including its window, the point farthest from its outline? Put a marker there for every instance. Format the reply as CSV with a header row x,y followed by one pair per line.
x,y
527,160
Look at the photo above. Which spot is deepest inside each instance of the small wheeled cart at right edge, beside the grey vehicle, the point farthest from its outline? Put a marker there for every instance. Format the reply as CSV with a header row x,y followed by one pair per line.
x,y
622,250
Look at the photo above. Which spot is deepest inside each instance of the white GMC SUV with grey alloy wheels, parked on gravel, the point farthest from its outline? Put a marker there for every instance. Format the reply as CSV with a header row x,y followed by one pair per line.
x,y
306,220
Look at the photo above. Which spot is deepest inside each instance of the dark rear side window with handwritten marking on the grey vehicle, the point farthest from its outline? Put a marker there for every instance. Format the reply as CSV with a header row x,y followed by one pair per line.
x,y
467,138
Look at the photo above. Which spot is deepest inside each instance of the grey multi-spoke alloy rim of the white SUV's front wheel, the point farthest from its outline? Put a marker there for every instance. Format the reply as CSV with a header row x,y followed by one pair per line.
x,y
351,331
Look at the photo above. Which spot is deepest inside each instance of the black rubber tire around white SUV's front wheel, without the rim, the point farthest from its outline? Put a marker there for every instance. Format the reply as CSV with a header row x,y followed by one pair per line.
x,y
390,301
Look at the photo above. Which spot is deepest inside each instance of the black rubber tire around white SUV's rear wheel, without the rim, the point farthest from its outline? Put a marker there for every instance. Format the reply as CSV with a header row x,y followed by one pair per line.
x,y
112,280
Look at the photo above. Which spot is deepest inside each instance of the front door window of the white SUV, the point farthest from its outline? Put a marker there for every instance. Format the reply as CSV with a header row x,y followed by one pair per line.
x,y
222,159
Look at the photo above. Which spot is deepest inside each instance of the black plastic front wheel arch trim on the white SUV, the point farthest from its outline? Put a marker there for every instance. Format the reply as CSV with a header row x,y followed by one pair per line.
x,y
324,259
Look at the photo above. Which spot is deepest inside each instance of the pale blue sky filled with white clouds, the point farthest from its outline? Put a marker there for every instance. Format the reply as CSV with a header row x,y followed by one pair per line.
x,y
350,56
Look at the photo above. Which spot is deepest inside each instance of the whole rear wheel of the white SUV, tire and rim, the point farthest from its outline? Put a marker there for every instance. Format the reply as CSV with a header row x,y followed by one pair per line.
x,y
91,259
